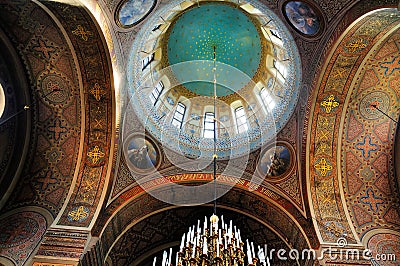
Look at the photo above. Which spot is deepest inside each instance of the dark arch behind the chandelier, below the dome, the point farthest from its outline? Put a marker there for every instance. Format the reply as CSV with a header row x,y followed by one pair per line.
x,y
238,202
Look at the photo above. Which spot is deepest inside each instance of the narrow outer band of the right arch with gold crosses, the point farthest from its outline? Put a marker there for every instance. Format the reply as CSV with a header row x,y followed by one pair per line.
x,y
331,104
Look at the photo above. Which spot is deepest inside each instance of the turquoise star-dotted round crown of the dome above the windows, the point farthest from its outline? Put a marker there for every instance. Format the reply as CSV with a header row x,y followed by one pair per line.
x,y
193,37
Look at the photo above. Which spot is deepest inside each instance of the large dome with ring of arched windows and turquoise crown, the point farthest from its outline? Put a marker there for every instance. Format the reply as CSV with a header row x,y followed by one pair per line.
x,y
249,53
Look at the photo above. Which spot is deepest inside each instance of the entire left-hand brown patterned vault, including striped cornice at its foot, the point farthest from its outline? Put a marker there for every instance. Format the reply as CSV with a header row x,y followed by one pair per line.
x,y
72,109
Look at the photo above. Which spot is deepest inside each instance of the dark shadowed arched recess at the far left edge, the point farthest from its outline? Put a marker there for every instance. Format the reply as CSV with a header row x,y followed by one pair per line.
x,y
15,123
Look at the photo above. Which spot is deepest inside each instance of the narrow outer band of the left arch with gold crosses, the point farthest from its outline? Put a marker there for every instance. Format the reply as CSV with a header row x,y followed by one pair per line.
x,y
95,69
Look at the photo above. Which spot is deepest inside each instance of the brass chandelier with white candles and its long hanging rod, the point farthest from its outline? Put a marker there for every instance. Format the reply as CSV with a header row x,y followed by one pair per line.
x,y
214,245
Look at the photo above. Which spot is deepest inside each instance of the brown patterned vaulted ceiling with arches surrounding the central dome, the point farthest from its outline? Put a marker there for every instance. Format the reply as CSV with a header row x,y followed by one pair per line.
x,y
70,192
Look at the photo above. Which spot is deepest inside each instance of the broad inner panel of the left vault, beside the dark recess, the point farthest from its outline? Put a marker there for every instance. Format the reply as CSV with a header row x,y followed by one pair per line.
x,y
55,101
